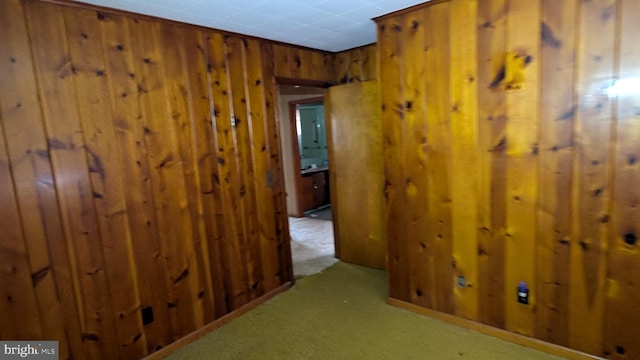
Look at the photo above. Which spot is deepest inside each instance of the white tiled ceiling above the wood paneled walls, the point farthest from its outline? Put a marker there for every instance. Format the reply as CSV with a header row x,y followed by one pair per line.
x,y
331,25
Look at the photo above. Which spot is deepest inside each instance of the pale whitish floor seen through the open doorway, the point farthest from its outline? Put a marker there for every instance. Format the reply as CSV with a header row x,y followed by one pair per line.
x,y
312,246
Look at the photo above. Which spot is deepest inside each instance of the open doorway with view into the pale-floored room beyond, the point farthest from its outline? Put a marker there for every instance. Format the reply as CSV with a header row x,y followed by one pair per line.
x,y
307,185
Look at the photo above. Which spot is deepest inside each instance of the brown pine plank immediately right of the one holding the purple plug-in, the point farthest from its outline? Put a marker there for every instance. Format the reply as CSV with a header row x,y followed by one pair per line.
x,y
558,38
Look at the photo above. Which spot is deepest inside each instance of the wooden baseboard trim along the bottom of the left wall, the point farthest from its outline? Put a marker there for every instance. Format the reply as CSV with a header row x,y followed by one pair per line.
x,y
167,350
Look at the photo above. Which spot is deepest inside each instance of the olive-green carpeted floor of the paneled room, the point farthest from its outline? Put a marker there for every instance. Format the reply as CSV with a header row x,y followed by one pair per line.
x,y
341,314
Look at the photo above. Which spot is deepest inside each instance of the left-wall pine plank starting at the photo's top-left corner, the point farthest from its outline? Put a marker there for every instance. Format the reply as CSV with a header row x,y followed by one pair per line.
x,y
36,196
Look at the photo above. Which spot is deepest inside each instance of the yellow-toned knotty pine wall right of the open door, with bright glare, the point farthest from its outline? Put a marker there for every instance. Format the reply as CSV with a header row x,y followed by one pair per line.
x,y
511,149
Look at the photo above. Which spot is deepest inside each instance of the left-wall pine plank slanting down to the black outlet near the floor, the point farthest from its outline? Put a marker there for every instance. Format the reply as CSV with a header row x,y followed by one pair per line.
x,y
121,53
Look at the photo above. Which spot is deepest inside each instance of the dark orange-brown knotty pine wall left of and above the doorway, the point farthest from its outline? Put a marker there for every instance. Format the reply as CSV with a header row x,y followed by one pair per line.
x,y
141,185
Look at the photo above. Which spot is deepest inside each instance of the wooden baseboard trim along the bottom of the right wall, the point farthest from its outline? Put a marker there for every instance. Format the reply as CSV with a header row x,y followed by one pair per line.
x,y
495,332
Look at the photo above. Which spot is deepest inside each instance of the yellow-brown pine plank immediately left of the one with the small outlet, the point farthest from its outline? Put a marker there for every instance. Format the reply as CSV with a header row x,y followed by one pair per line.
x,y
439,139
